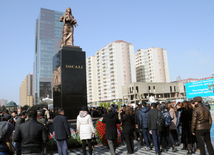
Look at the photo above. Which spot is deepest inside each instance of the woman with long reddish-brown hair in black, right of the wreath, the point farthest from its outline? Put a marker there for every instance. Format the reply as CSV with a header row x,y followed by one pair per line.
x,y
128,122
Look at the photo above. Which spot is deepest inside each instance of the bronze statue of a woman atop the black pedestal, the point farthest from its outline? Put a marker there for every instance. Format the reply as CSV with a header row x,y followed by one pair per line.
x,y
68,29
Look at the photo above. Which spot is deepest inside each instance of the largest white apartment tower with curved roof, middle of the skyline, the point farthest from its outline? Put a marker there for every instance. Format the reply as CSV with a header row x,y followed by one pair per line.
x,y
115,67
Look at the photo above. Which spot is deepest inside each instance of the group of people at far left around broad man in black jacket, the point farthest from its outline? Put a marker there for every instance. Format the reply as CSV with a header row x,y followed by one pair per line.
x,y
23,132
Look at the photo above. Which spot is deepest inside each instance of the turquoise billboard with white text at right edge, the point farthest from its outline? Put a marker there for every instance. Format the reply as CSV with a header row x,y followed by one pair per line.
x,y
202,88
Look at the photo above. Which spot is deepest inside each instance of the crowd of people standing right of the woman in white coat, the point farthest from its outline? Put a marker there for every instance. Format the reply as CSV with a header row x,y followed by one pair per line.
x,y
162,126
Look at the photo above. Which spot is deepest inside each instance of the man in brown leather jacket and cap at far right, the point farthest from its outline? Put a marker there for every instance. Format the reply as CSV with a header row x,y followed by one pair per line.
x,y
201,125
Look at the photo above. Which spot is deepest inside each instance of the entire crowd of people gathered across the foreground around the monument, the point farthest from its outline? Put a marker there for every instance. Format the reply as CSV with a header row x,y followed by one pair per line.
x,y
159,126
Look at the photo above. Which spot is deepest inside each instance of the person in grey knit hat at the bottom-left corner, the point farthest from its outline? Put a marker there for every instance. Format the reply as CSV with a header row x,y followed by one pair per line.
x,y
6,136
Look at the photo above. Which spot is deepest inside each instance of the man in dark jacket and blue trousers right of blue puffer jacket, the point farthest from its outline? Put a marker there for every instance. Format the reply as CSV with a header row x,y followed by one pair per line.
x,y
152,126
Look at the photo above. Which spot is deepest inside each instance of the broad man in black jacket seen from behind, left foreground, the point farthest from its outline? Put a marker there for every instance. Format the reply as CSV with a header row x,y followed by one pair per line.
x,y
32,135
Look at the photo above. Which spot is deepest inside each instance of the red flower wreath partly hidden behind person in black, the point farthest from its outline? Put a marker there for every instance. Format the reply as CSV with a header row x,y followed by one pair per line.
x,y
100,132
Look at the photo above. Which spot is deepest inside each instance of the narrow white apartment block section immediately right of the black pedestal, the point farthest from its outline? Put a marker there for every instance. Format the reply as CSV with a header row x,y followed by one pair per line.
x,y
91,74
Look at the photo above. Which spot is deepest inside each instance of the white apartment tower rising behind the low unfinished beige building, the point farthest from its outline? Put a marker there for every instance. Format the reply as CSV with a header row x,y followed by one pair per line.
x,y
152,65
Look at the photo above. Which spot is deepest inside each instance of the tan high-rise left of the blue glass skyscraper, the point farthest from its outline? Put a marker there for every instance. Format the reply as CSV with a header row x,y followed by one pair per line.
x,y
26,91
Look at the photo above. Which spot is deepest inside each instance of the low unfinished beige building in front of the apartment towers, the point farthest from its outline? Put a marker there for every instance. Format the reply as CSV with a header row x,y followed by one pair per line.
x,y
158,91
